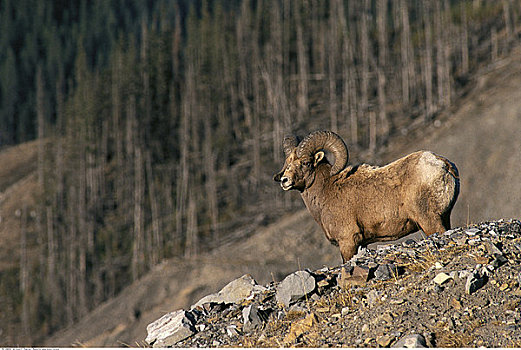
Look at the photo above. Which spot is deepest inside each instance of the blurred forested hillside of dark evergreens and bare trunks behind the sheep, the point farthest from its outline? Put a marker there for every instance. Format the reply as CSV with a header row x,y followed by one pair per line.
x,y
159,127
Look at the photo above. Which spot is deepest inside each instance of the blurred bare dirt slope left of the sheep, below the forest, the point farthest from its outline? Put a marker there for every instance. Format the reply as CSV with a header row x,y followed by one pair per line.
x,y
270,254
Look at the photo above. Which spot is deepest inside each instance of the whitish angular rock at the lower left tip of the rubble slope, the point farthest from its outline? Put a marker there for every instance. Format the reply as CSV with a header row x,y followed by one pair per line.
x,y
170,329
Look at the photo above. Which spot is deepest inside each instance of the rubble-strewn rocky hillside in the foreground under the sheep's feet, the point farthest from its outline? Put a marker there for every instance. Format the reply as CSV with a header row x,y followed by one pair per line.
x,y
460,288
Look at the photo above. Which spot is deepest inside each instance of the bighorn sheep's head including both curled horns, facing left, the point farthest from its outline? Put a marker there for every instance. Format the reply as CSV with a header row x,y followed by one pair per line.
x,y
303,158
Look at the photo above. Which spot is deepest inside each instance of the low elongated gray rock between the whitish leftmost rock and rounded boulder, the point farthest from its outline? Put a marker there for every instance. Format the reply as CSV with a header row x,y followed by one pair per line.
x,y
233,293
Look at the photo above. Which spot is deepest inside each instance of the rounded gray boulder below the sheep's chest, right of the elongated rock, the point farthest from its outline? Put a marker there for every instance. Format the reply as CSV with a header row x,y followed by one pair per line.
x,y
295,286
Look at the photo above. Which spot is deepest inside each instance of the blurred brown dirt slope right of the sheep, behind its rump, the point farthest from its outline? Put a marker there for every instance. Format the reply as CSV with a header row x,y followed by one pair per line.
x,y
482,135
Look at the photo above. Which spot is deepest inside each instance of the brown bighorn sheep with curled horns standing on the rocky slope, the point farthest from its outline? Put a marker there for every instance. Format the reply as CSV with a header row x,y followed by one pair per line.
x,y
362,204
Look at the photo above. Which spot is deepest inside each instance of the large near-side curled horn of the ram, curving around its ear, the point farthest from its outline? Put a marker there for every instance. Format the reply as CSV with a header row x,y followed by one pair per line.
x,y
328,141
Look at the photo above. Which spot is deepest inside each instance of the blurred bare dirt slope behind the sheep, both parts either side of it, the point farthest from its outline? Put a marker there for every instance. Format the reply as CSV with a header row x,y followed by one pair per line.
x,y
481,134
